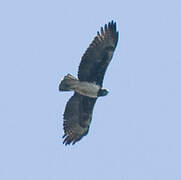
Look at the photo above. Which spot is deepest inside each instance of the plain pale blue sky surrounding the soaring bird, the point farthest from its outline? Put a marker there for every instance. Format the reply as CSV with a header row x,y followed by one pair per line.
x,y
135,132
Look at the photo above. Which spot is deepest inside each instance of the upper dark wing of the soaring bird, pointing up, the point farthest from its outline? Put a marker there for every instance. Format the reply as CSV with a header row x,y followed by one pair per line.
x,y
99,54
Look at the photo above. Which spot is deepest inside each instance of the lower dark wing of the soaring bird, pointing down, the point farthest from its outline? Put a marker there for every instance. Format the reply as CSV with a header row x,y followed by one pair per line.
x,y
77,118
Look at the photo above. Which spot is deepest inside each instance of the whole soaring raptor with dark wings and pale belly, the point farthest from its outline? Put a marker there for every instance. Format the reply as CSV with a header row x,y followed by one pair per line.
x,y
88,86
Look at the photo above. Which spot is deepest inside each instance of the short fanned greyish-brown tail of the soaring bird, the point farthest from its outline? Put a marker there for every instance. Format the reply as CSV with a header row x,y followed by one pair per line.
x,y
68,83
